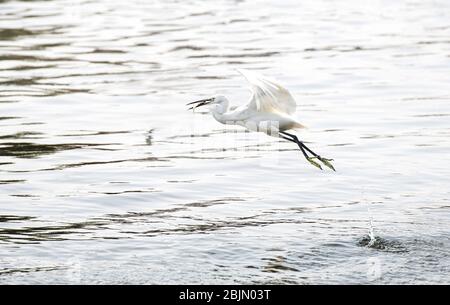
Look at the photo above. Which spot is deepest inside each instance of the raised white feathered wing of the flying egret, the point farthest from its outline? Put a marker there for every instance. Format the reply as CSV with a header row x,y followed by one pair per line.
x,y
268,95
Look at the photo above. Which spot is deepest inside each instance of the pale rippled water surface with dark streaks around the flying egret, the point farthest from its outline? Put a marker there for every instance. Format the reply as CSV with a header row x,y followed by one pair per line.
x,y
106,178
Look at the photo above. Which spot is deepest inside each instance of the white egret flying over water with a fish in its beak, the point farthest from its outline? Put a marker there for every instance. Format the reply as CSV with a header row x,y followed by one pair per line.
x,y
269,110
